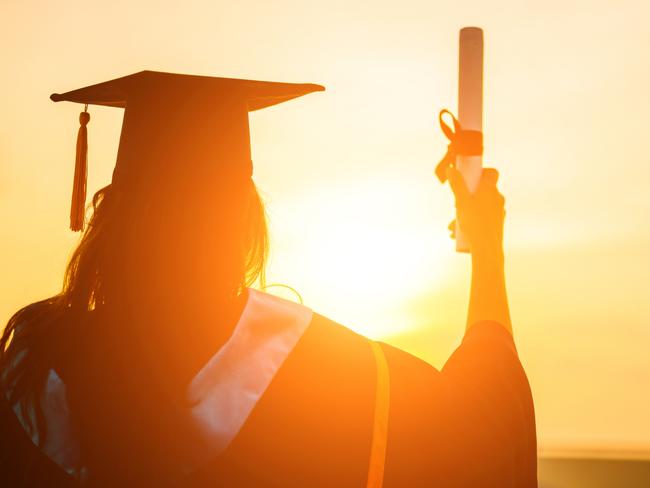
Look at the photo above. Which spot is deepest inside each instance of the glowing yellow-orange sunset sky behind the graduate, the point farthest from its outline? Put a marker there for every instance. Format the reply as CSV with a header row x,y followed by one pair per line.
x,y
358,221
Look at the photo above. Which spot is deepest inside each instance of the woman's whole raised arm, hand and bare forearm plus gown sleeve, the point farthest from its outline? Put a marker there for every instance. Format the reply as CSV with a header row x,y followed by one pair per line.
x,y
491,404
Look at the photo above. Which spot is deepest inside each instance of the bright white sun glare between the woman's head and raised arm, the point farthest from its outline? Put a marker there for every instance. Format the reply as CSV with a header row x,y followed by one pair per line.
x,y
356,254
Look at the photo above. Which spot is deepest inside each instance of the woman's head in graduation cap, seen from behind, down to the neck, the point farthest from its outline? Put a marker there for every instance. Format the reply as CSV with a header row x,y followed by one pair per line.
x,y
182,214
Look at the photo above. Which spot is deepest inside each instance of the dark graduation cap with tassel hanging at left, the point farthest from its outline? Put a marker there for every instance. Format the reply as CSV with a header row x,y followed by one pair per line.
x,y
174,123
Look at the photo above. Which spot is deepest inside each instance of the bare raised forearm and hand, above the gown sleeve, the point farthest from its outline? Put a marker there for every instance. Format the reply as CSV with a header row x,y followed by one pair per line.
x,y
480,216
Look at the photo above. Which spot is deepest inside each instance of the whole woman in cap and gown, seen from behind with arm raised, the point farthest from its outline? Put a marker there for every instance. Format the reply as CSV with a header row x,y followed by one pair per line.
x,y
157,365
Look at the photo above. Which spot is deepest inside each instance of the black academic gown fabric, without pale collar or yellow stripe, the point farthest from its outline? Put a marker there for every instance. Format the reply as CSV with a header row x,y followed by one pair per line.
x,y
470,425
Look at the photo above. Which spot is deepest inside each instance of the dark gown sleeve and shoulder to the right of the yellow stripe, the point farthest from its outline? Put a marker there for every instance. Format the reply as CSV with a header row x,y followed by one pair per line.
x,y
469,425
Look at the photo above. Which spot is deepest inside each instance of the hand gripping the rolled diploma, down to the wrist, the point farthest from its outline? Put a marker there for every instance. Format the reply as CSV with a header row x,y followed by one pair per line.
x,y
480,215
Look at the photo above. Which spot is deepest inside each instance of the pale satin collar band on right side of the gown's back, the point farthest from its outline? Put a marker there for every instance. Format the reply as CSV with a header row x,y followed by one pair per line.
x,y
225,391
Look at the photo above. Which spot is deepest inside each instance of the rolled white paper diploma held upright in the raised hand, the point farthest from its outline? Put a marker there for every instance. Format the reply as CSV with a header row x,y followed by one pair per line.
x,y
470,109
